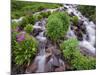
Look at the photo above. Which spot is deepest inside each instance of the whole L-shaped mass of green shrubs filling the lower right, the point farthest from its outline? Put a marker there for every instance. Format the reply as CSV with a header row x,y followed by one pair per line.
x,y
73,56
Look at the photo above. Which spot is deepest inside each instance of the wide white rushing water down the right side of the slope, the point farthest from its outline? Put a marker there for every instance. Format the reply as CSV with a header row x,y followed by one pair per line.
x,y
90,29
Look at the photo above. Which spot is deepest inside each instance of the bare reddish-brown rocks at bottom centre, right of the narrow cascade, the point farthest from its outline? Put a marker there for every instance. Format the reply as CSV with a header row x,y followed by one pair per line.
x,y
55,63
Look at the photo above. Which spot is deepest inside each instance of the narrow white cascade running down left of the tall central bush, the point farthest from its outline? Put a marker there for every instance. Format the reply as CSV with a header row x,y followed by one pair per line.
x,y
41,57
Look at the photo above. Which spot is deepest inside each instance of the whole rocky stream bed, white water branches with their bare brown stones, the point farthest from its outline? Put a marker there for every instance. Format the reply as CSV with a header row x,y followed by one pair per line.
x,y
46,58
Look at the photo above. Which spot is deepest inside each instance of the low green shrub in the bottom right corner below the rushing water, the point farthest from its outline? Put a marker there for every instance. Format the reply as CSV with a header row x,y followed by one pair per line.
x,y
83,63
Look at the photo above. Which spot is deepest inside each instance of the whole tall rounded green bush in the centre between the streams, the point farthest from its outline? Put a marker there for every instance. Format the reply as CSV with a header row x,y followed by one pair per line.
x,y
57,25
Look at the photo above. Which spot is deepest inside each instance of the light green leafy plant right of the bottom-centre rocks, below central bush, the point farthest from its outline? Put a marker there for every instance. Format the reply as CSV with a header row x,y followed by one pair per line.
x,y
69,47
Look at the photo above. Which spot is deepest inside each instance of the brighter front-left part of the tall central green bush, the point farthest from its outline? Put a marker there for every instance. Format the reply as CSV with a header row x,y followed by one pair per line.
x,y
55,29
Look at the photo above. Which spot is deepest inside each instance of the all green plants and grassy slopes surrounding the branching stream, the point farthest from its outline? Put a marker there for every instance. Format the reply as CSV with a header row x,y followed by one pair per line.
x,y
24,46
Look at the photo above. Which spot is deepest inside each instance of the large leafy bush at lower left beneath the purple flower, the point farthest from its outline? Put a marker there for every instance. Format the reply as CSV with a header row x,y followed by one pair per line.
x,y
23,51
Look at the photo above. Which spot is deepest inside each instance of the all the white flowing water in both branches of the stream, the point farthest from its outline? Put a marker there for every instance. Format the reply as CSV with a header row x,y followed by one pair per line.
x,y
89,43
